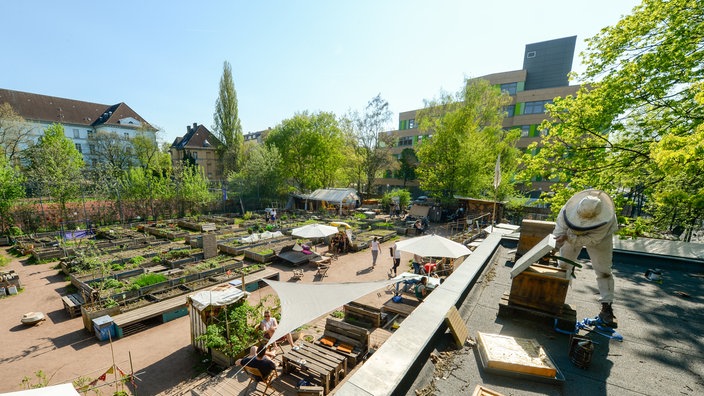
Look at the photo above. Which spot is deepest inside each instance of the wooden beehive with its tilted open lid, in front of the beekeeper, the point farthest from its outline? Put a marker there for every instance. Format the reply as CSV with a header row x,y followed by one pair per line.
x,y
539,286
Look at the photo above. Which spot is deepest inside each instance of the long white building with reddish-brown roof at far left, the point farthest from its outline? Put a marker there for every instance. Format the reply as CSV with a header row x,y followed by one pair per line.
x,y
81,120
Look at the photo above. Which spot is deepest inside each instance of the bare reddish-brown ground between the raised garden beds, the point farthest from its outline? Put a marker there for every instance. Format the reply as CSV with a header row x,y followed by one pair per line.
x,y
161,356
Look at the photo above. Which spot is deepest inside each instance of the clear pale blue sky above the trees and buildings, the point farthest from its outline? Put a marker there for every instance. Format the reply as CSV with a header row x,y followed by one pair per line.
x,y
165,58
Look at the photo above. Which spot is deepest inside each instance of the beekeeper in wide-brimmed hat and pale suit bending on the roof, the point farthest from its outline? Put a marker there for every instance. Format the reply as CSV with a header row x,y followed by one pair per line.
x,y
588,219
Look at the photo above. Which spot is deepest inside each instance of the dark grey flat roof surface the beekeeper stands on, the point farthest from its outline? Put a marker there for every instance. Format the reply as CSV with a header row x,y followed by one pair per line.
x,y
662,352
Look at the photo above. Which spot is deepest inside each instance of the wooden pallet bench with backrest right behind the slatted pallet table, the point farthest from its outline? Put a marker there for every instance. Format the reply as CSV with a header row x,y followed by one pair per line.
x,y
348,334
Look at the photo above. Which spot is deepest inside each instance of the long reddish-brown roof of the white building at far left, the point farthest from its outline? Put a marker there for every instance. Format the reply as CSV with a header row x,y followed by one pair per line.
x,y
35,107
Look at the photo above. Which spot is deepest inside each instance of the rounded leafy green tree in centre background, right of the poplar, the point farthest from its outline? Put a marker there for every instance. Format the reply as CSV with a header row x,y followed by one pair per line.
x,y
311,147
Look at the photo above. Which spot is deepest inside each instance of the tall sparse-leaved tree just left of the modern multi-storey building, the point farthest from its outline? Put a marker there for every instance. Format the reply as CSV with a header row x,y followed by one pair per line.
x,y
373,145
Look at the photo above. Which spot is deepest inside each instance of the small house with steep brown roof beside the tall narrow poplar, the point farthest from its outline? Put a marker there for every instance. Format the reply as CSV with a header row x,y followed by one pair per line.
x,y
200,146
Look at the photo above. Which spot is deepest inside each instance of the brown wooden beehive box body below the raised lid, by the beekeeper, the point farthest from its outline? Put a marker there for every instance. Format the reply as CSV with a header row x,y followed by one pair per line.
x,y
540,287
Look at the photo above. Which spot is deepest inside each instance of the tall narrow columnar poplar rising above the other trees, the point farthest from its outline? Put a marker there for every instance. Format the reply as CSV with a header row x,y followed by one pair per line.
x,y
227,122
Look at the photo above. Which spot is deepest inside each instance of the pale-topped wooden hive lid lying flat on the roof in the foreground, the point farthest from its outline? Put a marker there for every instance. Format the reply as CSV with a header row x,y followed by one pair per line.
x,y
516,355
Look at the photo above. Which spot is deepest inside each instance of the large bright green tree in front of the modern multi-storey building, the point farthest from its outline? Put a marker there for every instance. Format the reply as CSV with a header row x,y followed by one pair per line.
x,y
466,139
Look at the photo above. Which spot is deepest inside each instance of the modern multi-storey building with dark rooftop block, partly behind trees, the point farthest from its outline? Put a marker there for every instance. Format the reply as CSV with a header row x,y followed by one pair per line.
x,y
543,77
